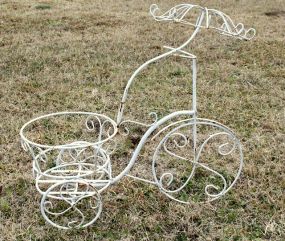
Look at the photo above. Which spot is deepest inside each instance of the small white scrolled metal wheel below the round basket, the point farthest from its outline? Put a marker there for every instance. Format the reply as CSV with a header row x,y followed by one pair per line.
x,y
71,204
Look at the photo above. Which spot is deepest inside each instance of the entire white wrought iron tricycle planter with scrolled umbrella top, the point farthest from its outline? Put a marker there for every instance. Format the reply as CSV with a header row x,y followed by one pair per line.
x,y
71,176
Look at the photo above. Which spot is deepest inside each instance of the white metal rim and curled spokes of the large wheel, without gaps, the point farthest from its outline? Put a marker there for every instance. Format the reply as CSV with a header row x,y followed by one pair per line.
x,y
166,178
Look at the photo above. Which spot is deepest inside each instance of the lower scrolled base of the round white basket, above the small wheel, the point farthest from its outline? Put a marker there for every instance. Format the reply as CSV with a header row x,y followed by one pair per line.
x,y
89,163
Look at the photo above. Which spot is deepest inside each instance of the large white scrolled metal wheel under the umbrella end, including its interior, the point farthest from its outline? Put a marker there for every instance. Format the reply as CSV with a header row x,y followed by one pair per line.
x,y
187,171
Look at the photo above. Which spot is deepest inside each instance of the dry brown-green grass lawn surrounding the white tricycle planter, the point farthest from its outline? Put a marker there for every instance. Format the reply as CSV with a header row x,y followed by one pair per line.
x,y
77,55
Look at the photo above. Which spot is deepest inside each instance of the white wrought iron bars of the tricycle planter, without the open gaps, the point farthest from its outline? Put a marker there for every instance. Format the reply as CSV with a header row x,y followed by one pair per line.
x,y
83,170
